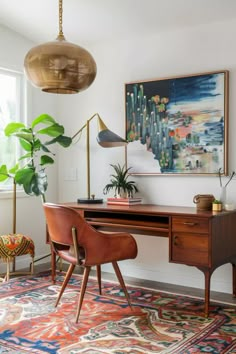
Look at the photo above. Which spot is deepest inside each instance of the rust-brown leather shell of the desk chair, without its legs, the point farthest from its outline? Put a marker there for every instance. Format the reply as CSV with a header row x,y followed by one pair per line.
x,y
68,229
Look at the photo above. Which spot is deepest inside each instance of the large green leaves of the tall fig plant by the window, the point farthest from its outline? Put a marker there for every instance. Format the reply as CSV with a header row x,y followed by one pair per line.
x,y
36,141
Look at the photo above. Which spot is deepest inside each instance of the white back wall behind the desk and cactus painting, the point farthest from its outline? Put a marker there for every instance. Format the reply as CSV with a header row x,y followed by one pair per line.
x,y
193,50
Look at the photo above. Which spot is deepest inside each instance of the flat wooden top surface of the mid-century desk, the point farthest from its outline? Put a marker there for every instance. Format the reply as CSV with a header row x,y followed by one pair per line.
x,y
147,209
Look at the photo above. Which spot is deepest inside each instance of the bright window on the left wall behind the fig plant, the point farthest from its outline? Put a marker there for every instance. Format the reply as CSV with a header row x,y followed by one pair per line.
x,y
11,109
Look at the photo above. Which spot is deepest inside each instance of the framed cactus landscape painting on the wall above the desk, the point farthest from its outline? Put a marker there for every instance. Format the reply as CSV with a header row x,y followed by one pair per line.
x,y
182,121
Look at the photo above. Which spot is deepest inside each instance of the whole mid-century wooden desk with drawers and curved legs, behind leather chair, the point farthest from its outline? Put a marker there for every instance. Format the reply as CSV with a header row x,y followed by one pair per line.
x,y
205,239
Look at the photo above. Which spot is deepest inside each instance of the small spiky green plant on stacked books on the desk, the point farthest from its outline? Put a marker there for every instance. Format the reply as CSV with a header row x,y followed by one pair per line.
x,y
119,182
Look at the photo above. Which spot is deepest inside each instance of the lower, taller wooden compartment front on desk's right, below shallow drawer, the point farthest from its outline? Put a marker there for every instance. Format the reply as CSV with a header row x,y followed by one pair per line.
x,y
191,249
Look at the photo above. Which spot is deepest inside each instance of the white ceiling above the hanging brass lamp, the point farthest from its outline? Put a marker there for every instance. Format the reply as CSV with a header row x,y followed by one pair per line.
x,y
99,20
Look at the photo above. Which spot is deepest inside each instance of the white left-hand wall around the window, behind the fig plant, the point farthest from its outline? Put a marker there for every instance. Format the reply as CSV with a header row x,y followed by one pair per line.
x,y
30,218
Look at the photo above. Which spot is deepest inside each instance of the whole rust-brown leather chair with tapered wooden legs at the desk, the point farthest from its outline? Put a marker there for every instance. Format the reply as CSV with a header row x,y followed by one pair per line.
x,y
89,246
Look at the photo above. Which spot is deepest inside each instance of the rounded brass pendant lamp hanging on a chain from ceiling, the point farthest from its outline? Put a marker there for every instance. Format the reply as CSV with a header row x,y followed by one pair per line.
x,y
60,66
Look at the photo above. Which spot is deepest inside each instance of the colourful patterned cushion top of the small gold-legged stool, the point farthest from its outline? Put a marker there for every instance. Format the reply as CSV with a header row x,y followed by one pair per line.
x,y
13,245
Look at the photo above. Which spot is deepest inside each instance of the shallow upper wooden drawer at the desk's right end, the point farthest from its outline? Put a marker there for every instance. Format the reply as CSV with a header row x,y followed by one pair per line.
x,y
190,224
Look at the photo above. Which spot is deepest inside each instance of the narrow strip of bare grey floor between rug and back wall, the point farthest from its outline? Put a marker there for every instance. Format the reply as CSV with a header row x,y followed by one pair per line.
x,y
215,296
